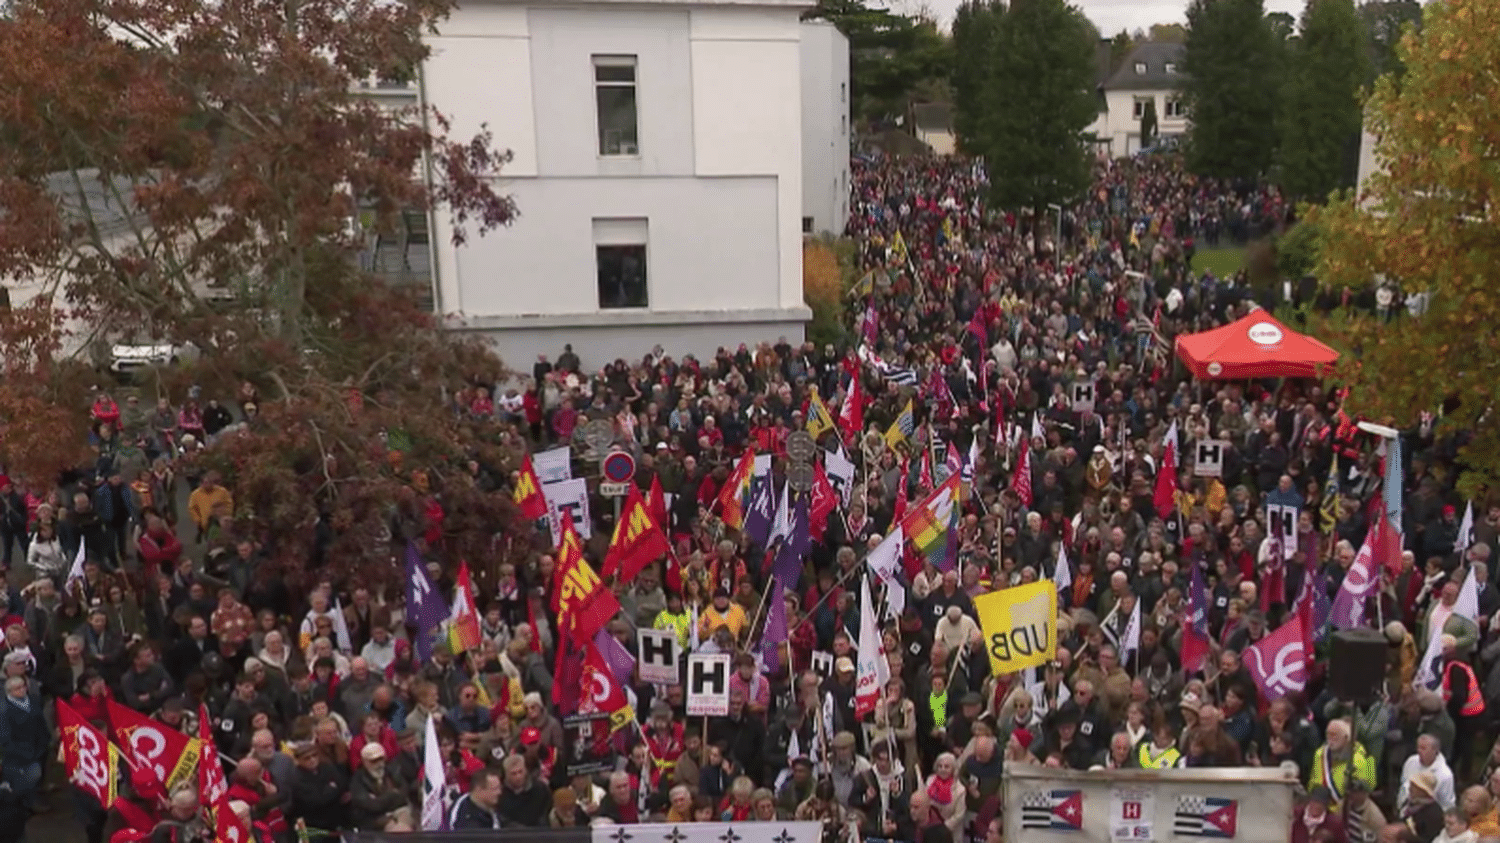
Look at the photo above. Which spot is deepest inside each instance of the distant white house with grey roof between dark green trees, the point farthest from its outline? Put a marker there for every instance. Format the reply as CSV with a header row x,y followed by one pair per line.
x,y
1153,73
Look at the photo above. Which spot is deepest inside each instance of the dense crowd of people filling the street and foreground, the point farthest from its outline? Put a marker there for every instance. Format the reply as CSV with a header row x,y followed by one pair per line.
x,y
977,322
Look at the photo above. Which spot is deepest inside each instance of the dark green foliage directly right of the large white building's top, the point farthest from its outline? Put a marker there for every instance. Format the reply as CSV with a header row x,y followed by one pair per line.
x,y
893,59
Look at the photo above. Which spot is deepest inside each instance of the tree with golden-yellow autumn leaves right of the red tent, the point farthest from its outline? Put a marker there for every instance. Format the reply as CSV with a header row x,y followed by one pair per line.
x,y
1427,220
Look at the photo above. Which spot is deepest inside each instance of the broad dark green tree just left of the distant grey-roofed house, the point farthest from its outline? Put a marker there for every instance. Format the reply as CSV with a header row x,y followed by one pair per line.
x,y
1028,110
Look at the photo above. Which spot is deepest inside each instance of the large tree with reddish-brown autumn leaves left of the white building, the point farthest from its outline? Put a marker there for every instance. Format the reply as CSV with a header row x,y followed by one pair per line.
x,y
172,157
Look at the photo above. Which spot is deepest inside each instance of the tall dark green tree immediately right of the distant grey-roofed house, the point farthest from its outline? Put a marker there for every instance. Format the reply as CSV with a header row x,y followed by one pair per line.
x,y
1231,88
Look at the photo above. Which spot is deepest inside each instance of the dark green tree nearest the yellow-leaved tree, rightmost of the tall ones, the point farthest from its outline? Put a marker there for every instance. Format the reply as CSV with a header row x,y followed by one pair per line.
x,y
1321,101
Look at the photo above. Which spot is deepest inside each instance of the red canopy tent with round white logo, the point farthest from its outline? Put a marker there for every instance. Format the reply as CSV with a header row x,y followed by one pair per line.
x,y
1255,347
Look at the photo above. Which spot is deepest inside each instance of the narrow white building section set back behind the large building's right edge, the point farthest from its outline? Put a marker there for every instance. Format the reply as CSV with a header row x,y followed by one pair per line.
x,y
826,128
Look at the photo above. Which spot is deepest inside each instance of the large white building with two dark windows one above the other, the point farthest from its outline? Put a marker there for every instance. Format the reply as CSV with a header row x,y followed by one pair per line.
x,y
658,170
